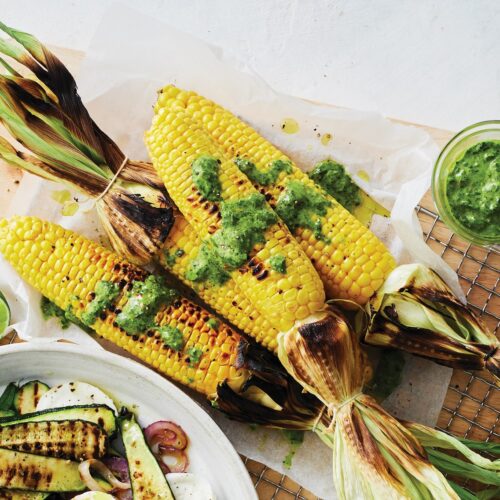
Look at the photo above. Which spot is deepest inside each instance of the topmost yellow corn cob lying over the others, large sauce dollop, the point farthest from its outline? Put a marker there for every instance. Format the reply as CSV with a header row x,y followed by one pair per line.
x,y
175,142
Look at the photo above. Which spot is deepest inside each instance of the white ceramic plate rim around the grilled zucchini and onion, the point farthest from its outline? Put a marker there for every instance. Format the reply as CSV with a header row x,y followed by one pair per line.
x,y
151,397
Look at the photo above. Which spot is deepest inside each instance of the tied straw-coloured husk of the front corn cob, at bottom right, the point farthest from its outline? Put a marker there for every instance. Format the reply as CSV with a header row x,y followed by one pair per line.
x,y
374,455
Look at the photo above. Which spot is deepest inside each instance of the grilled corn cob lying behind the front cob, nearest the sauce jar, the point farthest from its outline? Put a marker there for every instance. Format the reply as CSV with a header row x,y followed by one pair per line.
x,y
349,258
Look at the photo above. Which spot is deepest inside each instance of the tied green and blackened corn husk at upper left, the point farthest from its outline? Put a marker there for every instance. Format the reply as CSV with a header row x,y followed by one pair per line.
x,y
54,137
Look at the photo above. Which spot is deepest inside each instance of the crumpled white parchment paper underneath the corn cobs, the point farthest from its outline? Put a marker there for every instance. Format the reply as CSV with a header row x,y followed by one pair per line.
x,y
130,57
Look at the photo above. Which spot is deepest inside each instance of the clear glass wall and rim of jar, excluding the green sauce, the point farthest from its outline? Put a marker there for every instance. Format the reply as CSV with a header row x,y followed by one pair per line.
x,y
451,153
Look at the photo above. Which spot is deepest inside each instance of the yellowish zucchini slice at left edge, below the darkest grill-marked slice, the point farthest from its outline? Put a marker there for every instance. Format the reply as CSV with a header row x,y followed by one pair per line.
x,y
24,471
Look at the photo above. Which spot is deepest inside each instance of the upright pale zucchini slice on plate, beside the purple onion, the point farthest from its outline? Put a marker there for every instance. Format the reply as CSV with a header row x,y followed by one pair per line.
x,y
147,479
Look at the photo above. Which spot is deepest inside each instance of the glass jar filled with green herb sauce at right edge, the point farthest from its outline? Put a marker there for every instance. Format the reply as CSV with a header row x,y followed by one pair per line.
x,y
466,183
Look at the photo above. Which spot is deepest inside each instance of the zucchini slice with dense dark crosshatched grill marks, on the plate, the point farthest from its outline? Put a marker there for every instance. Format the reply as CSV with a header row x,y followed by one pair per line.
x,y
71,439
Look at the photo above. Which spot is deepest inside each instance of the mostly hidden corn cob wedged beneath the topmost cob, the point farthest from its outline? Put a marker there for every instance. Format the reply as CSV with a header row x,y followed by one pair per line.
x,y
181,248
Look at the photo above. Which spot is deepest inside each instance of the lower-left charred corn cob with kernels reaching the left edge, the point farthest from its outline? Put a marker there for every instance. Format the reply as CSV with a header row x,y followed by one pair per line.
x,y
67,269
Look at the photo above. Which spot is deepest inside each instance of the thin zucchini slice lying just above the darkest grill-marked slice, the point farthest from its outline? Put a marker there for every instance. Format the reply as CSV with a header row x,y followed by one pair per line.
x,y
97,414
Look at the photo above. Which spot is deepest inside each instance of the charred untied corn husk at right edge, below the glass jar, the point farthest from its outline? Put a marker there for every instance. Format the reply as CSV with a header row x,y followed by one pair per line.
x,y
414,310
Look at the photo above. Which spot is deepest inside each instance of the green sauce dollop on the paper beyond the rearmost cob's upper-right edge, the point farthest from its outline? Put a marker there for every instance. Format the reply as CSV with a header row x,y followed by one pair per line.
x,y
332,177
